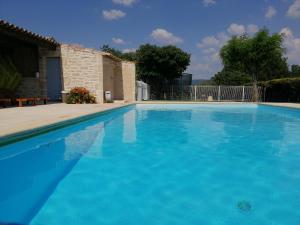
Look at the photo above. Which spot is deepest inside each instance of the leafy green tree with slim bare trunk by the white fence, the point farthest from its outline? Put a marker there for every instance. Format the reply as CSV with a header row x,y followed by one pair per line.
x,y
260,56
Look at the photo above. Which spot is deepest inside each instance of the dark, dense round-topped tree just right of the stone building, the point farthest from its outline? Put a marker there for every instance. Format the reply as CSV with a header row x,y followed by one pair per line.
x,y
158,65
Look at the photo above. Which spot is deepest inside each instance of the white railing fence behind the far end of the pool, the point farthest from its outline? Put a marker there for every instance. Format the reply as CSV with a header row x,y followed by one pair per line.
x,y
212,93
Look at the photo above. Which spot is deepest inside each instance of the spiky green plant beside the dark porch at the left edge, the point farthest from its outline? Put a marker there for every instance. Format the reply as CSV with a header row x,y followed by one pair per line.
x,y
10,78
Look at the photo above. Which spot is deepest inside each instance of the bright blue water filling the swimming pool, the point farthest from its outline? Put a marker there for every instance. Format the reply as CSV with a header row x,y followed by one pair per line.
x,y
159,165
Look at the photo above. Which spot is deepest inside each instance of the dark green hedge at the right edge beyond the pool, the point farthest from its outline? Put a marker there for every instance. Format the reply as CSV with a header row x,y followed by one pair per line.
x,y
282,90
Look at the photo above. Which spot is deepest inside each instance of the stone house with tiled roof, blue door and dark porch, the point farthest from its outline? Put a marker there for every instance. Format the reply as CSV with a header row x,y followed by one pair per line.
x,y
48,68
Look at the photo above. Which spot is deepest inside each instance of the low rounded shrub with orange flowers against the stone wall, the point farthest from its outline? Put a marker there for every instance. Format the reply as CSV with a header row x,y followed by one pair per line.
x,y
80,95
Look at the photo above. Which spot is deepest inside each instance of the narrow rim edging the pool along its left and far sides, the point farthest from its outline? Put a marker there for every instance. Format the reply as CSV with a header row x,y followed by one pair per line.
x,y
28,132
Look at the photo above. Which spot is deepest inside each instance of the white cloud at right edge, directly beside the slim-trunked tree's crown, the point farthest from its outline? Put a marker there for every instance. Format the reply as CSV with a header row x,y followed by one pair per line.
x,y
292,45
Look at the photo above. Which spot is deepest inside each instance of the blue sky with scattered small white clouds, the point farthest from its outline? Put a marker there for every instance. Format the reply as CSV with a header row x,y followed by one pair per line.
x,y
199,27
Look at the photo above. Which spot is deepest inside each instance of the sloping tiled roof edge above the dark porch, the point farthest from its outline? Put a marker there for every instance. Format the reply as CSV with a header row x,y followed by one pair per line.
x,y
20,33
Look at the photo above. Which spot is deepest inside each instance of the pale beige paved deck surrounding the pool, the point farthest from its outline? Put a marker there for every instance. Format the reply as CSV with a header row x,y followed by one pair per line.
x,y
23,121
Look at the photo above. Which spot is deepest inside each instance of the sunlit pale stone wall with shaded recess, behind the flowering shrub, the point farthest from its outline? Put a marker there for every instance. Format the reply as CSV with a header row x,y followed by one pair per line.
x,y
98,72
